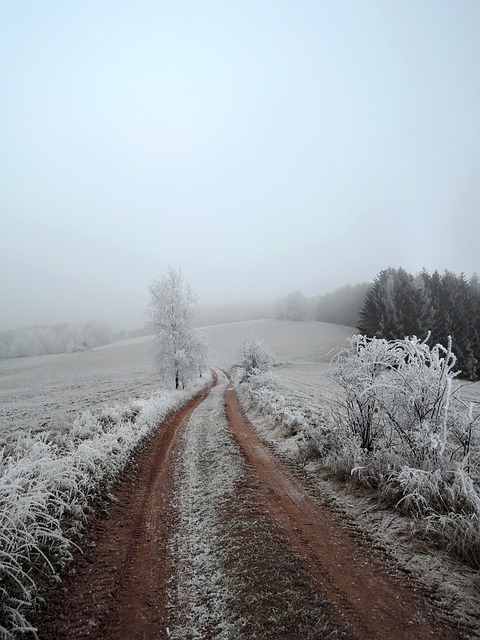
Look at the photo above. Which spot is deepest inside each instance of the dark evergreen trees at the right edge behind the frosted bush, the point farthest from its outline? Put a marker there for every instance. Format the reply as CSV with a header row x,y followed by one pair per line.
x,y
399,304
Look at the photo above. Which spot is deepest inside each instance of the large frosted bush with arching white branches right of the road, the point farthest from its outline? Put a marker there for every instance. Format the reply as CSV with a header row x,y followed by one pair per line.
x,y
397,396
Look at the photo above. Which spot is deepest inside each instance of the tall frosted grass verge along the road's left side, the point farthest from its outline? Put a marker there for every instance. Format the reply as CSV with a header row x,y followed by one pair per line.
x,y
48,482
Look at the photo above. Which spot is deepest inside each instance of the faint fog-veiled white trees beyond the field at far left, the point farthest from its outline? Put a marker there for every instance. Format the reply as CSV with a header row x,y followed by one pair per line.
x,y
60,338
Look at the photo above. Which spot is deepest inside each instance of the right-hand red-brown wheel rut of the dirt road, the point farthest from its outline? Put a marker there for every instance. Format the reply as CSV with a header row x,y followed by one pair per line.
x,y
365,599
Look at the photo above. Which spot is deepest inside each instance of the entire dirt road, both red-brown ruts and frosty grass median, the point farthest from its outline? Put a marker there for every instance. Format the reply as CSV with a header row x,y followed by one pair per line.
x,y
209,535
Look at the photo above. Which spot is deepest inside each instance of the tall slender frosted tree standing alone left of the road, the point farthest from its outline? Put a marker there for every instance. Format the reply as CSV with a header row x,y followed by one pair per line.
x,y
180,350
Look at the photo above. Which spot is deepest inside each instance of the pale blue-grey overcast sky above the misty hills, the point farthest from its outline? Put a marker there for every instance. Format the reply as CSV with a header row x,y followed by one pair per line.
x,y
260,146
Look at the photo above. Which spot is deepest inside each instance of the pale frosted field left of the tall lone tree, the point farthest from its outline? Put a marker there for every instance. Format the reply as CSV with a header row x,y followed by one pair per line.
x,y
45,393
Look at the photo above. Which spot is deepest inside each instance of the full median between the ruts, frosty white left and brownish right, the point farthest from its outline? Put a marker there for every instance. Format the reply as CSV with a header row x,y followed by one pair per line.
x,y
237,577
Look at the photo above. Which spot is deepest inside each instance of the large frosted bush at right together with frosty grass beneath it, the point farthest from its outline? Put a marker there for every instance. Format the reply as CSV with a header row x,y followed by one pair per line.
x,y
400,428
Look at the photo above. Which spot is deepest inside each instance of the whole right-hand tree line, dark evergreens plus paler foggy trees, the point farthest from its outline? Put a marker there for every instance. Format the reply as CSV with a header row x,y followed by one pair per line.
x,y
398,305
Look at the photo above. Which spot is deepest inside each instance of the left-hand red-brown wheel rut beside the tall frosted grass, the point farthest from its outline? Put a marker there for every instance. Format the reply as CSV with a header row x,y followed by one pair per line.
x,y
117,588
